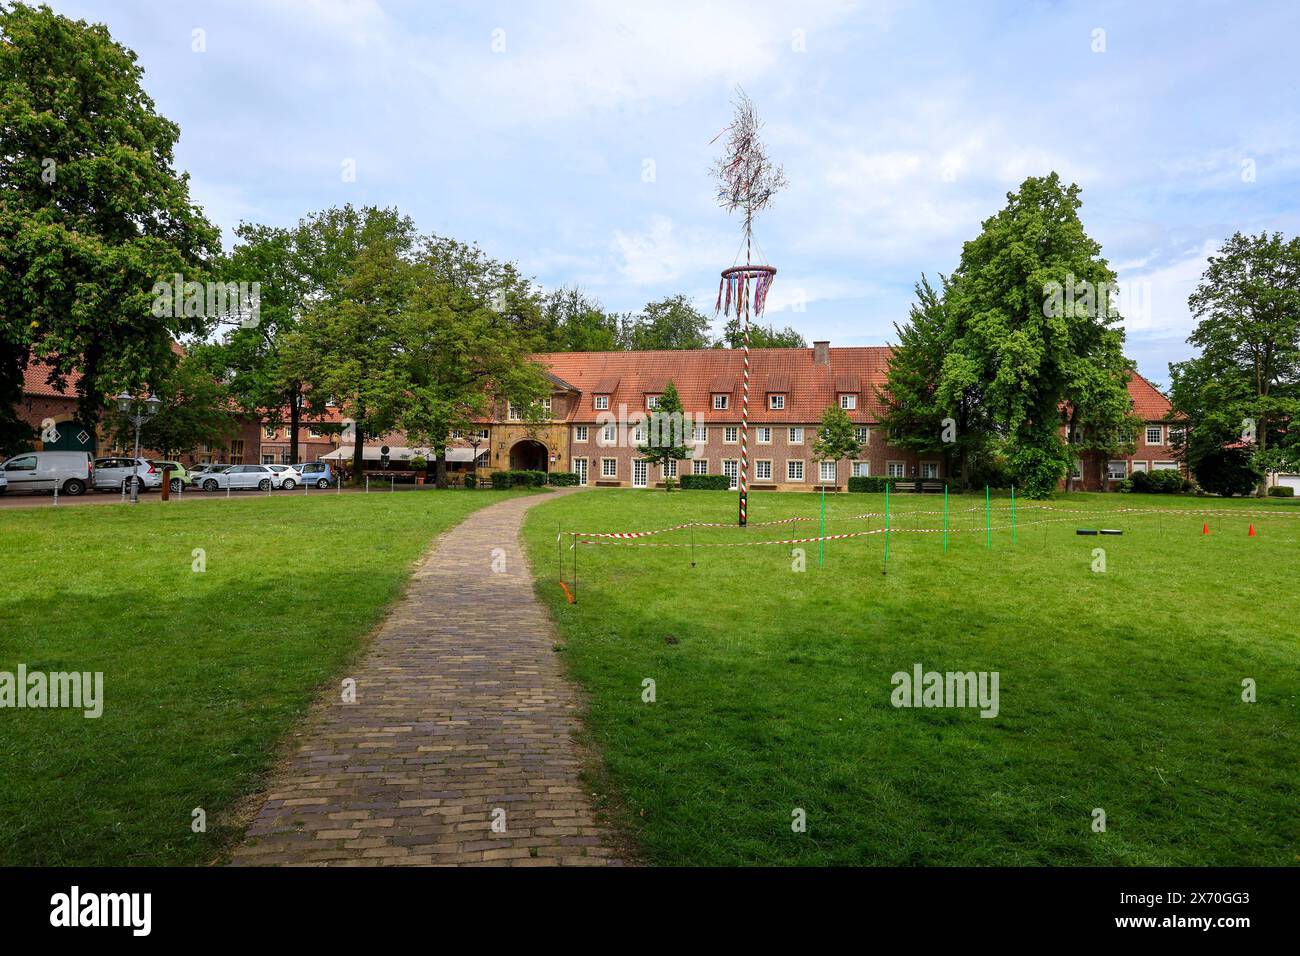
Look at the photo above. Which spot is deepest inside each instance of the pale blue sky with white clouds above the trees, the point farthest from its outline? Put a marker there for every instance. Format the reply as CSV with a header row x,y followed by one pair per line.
x,y
575,139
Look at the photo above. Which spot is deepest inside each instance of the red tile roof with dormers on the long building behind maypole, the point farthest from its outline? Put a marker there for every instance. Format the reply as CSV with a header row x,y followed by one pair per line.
x,y
809,388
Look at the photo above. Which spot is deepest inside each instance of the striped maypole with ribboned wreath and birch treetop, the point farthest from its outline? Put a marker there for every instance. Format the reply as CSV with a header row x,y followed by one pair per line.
x,y
747,183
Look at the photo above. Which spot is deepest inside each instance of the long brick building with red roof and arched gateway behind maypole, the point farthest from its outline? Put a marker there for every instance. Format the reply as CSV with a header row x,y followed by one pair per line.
x,y
592,419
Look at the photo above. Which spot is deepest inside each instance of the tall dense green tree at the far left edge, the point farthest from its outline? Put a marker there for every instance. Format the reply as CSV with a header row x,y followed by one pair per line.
x,y
93,214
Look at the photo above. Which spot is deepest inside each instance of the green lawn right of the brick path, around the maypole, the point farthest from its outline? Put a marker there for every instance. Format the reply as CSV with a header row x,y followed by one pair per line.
x,y
1119,690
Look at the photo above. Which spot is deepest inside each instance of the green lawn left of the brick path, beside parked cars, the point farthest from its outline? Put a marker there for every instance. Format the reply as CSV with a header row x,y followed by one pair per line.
x,y
205,674
